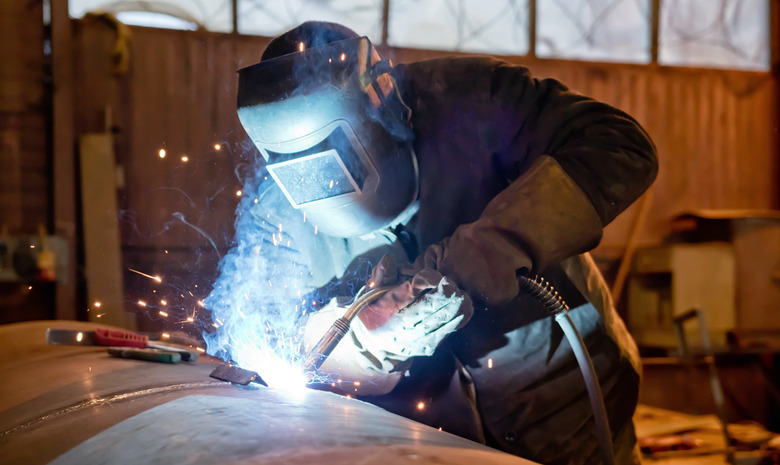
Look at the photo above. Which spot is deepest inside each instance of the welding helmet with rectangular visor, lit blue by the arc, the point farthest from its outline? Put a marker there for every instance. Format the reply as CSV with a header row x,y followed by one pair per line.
x,y
334,132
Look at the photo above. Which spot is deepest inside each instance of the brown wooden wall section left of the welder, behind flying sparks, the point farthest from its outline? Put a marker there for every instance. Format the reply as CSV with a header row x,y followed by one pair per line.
x,y
177,94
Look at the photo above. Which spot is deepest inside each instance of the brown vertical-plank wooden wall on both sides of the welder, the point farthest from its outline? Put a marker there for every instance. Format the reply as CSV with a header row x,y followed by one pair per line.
x,y
716,133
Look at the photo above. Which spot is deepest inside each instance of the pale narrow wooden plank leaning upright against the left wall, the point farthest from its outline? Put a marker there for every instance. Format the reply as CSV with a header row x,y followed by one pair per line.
x,y
102,257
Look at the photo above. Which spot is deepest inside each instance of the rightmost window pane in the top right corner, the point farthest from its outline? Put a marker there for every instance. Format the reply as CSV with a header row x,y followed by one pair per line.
x,y
718,33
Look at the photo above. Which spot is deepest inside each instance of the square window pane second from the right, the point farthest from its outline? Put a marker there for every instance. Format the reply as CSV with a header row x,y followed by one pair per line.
x,y
599,30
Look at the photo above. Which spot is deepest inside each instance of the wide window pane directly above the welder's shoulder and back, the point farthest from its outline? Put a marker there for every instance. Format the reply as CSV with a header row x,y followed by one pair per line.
x,y
476,26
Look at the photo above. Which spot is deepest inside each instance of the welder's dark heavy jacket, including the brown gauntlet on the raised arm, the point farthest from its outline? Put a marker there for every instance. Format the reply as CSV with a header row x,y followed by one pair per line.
x,y
519,174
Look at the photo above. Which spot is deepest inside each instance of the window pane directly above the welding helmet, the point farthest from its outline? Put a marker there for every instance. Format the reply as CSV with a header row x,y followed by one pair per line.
x,y
272,17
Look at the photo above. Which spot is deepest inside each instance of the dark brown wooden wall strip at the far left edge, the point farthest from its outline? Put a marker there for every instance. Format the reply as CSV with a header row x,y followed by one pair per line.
x,y
25,176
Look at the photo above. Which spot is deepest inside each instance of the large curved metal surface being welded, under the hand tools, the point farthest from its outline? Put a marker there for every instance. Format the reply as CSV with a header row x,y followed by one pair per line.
x,y
78,405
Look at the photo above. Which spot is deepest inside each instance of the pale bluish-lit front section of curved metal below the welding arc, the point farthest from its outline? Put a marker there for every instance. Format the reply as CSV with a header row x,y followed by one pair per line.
x,y
274,428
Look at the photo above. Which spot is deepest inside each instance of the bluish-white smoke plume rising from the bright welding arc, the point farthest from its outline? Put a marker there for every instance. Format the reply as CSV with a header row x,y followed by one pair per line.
x,y
256,302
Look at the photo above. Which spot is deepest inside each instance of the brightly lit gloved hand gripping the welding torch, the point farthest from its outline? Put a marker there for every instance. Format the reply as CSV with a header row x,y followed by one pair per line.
x,y
415,316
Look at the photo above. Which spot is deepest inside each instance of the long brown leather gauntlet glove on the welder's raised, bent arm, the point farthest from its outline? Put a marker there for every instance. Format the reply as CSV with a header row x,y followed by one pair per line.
x,y
514,234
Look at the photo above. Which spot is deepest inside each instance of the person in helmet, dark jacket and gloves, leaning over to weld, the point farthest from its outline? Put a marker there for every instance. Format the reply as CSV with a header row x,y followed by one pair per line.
x,y
446,180
